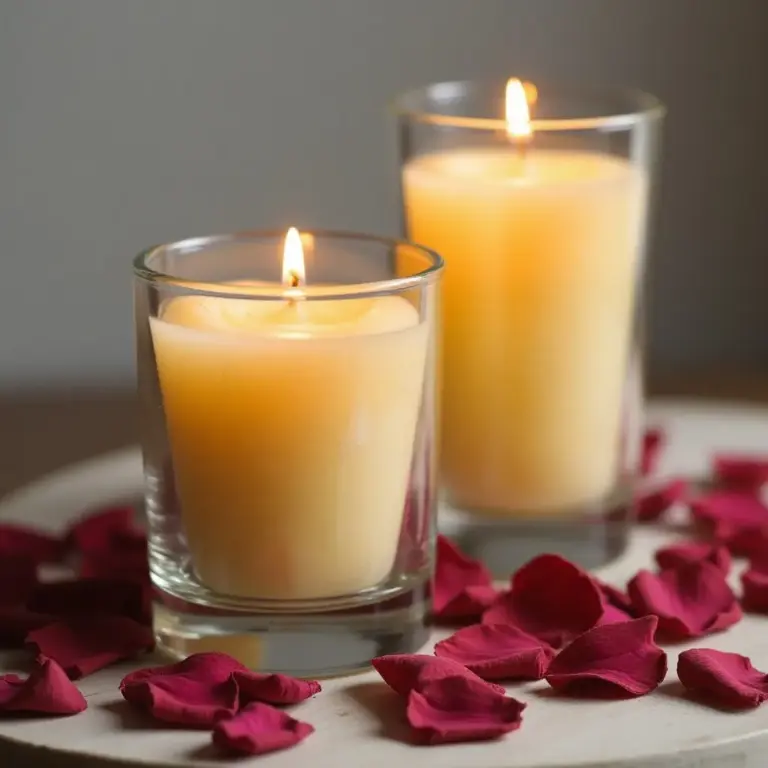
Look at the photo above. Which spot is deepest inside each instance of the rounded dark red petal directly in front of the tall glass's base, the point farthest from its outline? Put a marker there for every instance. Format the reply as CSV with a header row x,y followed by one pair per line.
x,y
551,599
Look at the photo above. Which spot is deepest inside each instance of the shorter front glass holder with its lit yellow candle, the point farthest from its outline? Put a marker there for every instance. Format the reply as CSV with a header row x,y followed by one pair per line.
x,y
287,443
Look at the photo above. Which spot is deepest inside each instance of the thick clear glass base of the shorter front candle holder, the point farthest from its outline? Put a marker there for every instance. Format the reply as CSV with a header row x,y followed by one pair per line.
x,y
310,645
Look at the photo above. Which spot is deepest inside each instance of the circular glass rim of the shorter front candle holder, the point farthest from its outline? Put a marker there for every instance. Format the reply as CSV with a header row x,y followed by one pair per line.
x,y
179,284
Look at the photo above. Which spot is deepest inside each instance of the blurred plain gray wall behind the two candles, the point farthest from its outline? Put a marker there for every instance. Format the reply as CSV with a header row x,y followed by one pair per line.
x,y
127,123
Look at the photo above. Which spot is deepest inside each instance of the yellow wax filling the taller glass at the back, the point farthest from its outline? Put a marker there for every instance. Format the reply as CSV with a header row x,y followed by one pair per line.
x,y
541,259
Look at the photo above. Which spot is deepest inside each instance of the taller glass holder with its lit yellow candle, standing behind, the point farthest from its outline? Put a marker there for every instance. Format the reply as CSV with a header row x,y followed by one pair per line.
x,y
537,198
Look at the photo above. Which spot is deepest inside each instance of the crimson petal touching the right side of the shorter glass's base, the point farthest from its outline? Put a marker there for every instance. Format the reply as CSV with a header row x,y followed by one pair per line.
x,y
462,587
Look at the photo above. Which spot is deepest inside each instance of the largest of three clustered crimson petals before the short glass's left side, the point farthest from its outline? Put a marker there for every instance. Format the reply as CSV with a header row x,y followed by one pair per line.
x,y
196,692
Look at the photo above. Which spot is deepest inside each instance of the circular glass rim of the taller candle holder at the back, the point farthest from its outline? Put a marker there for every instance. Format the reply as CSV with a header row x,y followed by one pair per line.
x,y
648,107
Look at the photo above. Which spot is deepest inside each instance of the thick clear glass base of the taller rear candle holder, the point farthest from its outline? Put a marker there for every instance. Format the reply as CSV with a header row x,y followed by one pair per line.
x,y
592,535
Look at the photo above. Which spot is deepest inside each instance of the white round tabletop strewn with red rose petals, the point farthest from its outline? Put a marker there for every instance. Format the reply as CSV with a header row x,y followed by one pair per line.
x,y
358,719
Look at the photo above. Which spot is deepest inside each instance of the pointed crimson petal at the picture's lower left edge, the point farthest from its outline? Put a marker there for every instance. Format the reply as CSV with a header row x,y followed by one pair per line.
x,y
47,690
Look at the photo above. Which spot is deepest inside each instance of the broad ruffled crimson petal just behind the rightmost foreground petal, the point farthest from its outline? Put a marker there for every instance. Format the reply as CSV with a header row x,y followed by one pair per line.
x,y
690,601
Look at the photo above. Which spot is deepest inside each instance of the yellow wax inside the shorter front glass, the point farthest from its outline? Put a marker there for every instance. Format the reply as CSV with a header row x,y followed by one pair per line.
x,y
291,428
